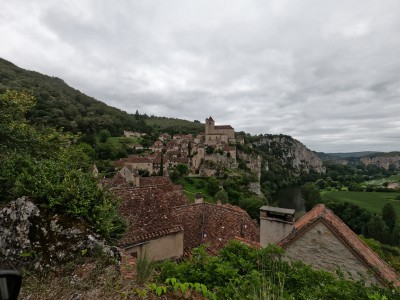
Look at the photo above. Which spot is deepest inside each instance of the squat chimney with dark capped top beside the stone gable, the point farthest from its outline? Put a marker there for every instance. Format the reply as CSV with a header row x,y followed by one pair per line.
x,y
275,224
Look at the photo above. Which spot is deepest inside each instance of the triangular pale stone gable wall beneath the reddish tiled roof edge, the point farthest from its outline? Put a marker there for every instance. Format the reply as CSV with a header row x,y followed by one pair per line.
x,y
320,248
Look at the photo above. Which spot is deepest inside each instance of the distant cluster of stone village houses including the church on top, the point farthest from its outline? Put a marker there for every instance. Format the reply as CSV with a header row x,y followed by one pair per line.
x,y
215,146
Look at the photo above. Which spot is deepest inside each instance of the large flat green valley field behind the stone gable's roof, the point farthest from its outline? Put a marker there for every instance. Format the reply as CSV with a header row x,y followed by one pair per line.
x,y
371,201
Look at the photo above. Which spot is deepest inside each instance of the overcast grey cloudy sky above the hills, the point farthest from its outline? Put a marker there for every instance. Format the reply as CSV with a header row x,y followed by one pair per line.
x,y
325,72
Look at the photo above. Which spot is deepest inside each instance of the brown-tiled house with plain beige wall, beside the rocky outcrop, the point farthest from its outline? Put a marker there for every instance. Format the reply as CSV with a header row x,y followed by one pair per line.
x,y
152,226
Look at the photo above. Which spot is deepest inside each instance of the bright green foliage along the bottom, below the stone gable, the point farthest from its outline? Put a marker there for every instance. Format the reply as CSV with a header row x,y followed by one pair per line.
x,y
240,272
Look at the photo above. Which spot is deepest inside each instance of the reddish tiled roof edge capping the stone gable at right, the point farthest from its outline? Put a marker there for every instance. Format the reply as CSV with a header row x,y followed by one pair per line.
x,y
369,257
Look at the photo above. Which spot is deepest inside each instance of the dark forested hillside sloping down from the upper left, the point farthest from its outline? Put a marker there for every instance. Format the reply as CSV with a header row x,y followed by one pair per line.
x,y
60,105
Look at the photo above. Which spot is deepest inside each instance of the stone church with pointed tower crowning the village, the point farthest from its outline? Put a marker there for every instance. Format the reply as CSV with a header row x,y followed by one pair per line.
x,y
216,134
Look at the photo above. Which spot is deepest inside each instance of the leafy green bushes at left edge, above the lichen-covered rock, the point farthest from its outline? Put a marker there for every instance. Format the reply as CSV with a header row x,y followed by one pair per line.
x,y
48,167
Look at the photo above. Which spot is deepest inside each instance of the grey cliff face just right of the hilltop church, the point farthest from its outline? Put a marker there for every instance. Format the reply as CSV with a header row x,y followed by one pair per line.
x,y
291,153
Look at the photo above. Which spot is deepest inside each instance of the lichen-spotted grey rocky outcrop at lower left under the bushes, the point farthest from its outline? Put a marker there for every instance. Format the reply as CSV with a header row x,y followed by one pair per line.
x,y
31,238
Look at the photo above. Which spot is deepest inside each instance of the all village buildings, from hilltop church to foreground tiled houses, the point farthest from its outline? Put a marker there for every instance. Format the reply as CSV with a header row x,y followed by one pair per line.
x,y
163,224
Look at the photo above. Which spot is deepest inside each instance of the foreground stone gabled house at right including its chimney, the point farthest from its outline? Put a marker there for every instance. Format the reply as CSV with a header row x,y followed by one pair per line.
x,y
321,239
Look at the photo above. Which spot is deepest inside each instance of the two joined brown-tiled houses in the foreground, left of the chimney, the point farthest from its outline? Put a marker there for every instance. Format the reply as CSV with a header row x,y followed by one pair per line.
x,y
162,223
